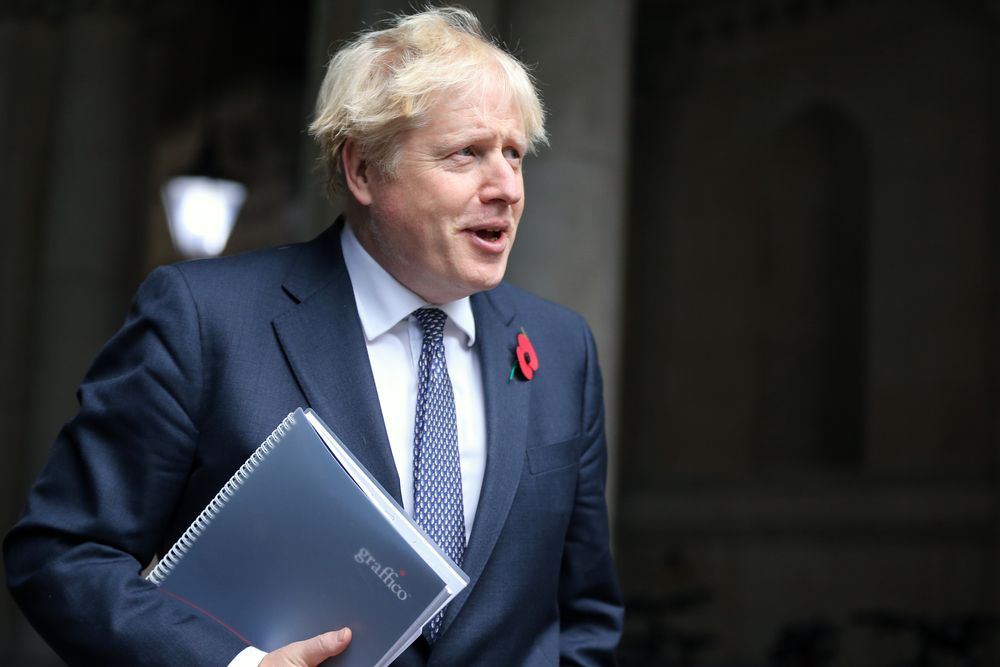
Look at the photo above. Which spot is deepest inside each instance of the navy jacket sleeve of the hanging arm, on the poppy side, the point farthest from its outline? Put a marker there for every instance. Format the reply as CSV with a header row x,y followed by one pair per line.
x,y
591,611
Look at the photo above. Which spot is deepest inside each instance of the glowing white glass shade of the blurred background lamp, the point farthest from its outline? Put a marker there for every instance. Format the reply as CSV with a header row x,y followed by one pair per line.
x,y
201,212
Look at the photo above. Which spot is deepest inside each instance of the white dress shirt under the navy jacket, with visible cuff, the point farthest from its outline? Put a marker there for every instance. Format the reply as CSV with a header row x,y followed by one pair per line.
x,y
393,338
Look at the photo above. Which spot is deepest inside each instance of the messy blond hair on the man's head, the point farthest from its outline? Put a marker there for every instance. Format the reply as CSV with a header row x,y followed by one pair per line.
x,y
385,82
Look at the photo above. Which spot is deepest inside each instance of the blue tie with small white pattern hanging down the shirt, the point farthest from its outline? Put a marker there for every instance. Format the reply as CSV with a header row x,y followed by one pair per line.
x,y
437,477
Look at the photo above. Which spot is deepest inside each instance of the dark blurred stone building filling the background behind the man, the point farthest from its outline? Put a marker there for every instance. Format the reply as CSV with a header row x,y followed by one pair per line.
x,y
779,216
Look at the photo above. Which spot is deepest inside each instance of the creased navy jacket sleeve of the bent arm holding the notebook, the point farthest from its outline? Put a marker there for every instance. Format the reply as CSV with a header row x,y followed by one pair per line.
x,y
98,512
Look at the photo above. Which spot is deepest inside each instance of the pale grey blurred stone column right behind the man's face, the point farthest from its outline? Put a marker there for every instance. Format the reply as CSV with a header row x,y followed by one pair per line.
x,y
570,244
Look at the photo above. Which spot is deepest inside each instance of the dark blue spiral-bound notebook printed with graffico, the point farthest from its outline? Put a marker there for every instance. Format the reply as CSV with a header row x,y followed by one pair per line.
x,y
302,540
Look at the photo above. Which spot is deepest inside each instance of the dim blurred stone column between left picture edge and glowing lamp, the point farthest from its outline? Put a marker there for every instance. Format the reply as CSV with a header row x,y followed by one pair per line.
x,y
91,250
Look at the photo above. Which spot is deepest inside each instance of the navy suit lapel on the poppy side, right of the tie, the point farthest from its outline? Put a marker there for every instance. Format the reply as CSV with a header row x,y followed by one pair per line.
x,y
506,423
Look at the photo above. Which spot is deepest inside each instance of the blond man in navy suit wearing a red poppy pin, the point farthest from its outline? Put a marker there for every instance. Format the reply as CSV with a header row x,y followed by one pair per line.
x,y
426,125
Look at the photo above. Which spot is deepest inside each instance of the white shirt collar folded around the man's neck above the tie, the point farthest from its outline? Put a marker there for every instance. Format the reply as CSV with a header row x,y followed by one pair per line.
x,y
383,301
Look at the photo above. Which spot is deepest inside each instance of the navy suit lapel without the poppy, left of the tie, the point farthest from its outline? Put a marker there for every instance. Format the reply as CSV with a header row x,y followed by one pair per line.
x,y
324,343
